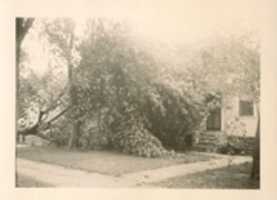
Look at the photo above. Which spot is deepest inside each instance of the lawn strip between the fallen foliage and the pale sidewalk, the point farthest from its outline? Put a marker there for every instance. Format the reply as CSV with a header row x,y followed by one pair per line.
x,y
104,162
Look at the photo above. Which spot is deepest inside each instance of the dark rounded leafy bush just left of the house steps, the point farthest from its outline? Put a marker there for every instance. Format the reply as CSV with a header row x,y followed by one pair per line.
x,y
175,117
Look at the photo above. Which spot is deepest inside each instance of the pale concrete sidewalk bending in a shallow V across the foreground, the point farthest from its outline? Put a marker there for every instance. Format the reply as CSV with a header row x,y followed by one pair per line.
x,y
64,177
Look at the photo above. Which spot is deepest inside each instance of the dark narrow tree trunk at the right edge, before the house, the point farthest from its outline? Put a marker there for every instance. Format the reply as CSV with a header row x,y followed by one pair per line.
x,y
255,173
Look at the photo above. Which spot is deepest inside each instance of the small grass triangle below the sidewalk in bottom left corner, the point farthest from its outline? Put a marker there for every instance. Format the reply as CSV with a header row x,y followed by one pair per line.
x,y
25,181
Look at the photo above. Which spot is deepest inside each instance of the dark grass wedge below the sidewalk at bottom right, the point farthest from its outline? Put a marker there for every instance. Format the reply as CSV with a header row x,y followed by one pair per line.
x,y
233,177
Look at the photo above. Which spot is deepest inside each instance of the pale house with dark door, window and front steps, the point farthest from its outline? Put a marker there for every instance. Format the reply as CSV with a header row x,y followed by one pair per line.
x,y
236,118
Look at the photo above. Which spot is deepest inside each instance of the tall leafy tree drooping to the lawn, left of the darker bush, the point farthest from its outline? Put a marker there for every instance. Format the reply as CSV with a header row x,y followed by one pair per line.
x,y
114,76
